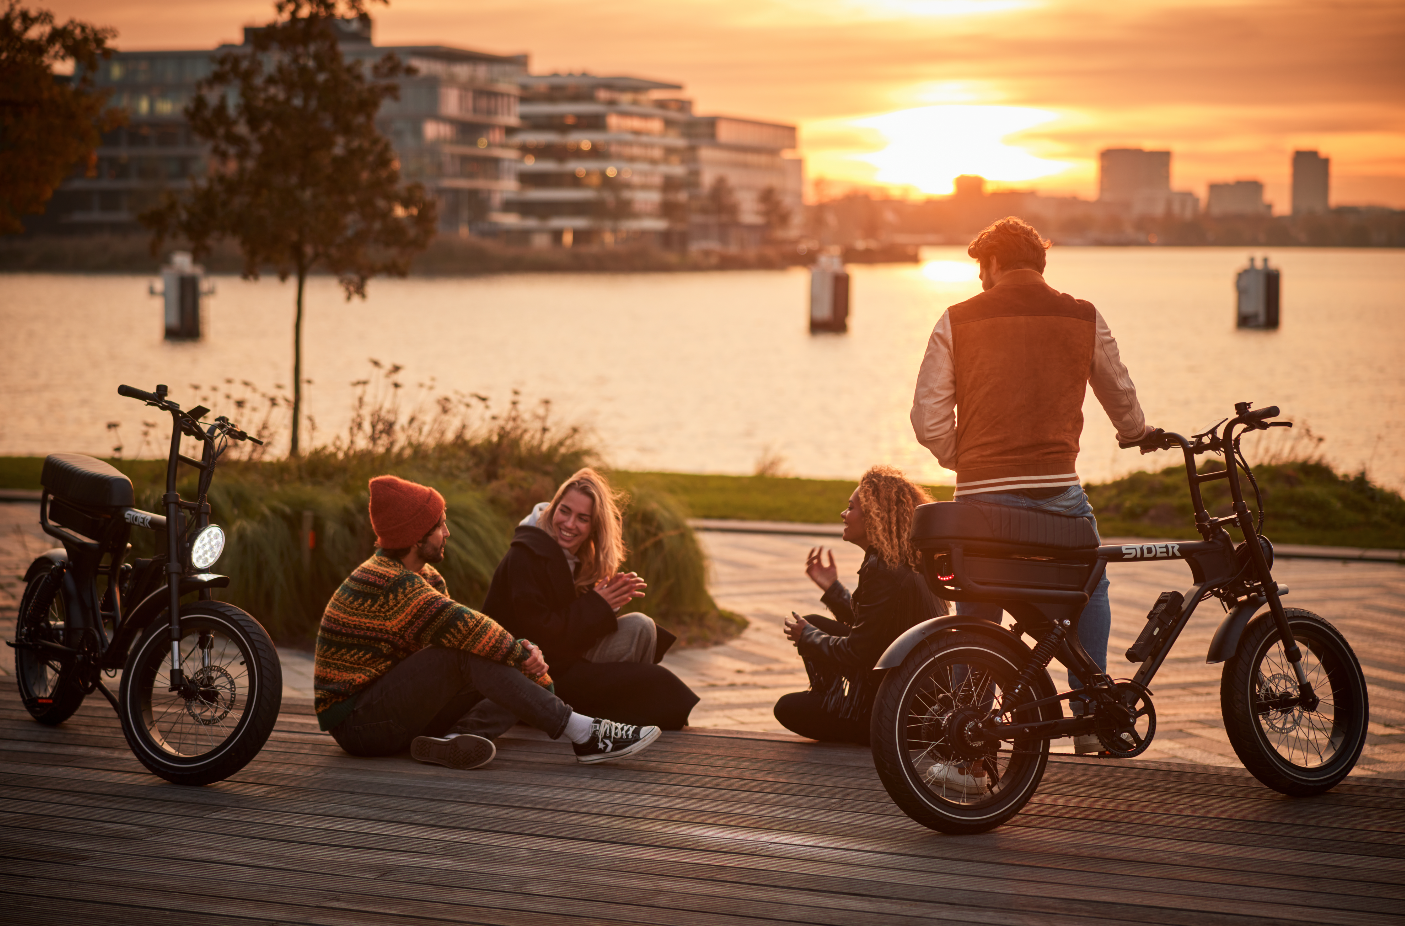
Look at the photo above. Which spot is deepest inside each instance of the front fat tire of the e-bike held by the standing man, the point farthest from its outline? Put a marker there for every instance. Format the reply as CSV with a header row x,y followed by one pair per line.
x,y
1338,672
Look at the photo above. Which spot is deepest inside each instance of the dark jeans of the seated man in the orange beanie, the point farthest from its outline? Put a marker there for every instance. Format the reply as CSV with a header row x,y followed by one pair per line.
x,y
431,693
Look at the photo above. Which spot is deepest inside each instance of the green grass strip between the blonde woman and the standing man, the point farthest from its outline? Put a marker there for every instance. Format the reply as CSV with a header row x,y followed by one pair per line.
x,y
755,498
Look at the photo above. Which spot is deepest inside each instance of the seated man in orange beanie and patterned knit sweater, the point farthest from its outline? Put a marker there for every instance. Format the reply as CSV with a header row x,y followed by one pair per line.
x,y
400,664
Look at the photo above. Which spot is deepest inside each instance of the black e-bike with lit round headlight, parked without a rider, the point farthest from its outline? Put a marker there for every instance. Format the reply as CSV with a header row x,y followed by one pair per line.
x,y
202,684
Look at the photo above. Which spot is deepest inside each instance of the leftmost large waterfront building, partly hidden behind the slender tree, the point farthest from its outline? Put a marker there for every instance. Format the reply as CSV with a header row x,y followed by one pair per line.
x,y
449,129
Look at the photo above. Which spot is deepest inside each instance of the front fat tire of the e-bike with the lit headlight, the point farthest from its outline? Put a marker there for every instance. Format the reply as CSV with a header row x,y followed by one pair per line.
x,y
147,674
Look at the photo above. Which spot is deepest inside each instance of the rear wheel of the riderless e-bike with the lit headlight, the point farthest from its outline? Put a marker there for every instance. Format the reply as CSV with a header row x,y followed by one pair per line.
x,y
50,682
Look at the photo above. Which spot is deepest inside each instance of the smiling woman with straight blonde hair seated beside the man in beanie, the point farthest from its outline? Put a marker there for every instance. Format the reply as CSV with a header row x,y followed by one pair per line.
x,y
561,588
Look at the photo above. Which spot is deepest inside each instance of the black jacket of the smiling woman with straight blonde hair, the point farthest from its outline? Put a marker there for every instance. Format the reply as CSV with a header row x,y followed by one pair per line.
x,y
535,595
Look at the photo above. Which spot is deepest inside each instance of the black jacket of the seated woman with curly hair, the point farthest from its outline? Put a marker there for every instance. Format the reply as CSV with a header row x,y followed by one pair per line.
x,y
887,602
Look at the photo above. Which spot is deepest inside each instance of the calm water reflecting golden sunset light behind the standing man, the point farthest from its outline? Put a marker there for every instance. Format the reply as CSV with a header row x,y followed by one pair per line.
x,y
710,372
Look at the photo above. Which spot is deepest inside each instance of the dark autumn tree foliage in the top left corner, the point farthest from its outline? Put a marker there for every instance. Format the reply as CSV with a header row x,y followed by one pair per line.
x,y
48,123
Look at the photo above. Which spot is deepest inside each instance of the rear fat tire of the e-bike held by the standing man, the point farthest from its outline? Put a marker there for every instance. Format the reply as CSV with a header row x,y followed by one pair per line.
x,y
889,737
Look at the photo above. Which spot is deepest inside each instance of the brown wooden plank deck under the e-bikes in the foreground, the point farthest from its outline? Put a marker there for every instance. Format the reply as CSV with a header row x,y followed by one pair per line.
x,y
703,828
